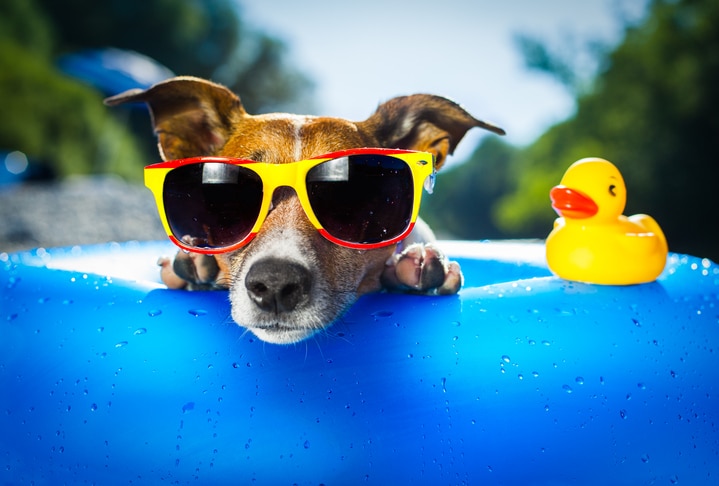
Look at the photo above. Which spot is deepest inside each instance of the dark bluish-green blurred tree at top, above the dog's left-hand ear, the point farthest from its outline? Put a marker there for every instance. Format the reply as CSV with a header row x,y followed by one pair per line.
x,y
205,38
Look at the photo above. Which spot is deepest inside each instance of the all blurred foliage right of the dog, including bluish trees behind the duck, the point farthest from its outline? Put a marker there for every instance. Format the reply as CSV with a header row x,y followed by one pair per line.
x,y
652,110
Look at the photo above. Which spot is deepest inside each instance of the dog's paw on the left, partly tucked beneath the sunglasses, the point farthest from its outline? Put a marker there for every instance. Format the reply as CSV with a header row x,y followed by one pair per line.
x,y
191,271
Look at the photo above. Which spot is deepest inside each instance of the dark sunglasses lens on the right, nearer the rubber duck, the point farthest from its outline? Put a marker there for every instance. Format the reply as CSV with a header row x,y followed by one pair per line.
x,y
364,198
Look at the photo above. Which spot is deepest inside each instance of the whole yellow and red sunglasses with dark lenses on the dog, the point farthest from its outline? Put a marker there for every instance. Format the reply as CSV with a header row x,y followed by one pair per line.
x,y
361,198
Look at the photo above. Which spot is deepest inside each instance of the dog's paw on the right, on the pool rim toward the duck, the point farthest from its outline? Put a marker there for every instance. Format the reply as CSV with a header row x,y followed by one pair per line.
x,y
422,268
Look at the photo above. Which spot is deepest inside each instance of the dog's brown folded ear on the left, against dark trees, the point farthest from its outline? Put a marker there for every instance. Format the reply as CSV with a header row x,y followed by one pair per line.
x,y
192,117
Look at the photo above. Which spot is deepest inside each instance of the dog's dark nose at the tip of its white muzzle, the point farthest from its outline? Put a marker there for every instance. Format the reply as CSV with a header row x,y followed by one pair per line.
x,y
277,285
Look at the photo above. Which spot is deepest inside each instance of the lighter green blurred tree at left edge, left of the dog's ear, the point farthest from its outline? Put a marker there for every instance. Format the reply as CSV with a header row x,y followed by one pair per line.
x,y
47,115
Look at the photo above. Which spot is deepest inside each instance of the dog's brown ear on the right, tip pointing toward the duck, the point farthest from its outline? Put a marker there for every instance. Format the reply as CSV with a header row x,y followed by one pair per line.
x,y
423,122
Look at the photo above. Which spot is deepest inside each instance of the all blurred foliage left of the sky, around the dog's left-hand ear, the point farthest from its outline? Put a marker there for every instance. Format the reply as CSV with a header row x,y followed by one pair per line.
x,y
62,122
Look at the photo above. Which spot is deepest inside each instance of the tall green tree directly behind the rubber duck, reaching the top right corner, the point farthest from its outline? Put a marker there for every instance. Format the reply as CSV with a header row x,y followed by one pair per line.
x,y
653,113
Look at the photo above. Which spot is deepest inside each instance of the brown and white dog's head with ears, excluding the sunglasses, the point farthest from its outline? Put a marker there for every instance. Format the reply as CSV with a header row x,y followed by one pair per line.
x,y
290,282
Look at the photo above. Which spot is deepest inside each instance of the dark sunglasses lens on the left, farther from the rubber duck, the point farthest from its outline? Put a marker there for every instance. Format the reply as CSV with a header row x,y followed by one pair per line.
x,y
212,205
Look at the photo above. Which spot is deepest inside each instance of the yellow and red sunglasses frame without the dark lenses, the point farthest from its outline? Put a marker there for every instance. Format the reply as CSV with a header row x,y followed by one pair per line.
x,y
293,175
